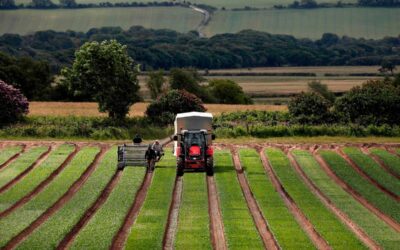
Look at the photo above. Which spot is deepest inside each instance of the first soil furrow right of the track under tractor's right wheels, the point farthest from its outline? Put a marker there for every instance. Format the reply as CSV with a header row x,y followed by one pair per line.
x,y
259,220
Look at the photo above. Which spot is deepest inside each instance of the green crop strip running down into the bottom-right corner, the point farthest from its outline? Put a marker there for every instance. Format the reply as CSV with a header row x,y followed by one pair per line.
x,y
377,229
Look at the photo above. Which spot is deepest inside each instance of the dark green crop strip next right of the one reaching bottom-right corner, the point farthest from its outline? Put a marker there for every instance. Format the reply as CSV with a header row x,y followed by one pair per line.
x,y
363,187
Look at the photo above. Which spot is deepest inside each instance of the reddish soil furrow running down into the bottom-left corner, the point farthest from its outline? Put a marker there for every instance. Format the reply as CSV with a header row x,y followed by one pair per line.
x,y
60,203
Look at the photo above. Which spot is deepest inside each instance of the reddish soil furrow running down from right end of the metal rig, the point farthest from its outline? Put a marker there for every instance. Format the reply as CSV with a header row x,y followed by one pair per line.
x,y
122,235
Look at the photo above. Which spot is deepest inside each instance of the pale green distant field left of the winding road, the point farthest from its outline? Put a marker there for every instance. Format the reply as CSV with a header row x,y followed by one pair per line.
x,y
27,21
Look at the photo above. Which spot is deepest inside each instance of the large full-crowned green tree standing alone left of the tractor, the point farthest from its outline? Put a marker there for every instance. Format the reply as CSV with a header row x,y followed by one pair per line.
x,y
105,72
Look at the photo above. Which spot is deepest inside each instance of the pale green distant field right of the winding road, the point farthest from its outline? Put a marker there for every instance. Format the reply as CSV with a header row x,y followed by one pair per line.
x,y
354,22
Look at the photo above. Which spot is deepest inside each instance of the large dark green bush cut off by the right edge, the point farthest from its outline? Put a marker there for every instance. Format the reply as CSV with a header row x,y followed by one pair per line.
x,y
375,102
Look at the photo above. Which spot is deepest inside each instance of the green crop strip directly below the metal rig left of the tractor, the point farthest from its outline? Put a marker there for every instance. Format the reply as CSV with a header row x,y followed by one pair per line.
x,y
98,233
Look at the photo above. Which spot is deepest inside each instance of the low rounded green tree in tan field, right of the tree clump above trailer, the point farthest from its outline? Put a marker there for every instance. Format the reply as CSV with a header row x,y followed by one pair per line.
x,y
229,92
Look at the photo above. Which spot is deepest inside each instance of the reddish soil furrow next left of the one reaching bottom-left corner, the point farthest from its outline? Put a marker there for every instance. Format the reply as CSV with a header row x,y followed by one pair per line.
x,y
41,186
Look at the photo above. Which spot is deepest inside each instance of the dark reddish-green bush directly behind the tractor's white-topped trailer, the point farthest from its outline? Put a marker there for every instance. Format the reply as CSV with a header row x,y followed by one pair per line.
x,y
164,109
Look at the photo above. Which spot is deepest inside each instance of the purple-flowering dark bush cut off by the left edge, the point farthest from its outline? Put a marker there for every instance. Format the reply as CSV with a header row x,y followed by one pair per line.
x,y
13,104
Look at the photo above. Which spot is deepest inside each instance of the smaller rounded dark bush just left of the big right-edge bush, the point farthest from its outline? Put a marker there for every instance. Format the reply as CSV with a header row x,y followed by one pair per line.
x,y
309,108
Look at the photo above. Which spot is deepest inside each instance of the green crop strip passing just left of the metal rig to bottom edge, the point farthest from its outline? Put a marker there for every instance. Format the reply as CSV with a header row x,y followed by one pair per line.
x,y
50,233
